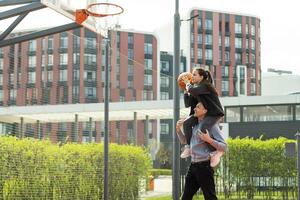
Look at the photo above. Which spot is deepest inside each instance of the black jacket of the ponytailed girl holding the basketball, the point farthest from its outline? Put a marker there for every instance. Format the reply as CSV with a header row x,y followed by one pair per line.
x,y
209,99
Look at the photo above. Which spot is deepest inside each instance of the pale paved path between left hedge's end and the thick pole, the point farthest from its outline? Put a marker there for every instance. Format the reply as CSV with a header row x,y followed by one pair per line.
x,y
162,187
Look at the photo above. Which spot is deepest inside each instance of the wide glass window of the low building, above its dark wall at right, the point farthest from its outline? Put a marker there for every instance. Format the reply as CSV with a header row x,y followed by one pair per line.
x,y
268,113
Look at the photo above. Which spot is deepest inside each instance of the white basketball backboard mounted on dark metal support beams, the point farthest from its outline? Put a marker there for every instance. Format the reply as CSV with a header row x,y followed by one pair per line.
x,y
68,8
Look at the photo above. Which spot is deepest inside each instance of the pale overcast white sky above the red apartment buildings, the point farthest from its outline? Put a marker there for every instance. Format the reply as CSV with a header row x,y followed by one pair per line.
x,y
280,25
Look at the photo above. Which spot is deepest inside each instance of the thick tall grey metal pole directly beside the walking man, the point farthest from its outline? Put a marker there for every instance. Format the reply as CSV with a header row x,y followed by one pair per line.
x,y
176,65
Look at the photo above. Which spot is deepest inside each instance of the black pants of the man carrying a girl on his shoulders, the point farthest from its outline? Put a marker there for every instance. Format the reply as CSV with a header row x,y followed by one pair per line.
x,y
200,175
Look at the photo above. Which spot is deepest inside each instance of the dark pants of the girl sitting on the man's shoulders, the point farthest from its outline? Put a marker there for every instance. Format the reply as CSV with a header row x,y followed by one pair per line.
x,y
191,121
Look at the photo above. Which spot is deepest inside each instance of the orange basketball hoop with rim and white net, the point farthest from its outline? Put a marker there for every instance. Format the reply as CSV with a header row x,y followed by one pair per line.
x,y
97,11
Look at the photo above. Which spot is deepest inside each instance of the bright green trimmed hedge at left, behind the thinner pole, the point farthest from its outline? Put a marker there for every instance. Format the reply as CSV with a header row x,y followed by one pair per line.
x,y
32,169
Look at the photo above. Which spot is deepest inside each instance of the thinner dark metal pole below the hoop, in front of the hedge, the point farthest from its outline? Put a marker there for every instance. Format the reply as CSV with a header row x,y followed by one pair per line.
x,y
106,118
